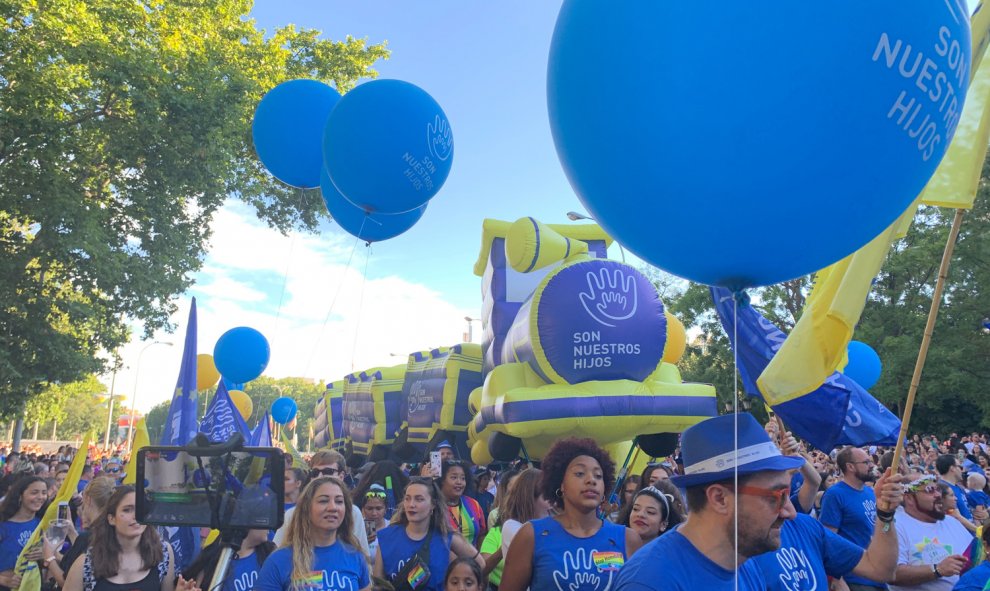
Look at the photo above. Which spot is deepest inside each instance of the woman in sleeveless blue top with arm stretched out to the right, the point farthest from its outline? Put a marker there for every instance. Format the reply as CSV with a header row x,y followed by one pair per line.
x,y
420,529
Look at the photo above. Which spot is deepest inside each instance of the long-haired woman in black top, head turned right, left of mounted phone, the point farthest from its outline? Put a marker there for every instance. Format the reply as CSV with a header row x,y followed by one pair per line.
x,y
124,554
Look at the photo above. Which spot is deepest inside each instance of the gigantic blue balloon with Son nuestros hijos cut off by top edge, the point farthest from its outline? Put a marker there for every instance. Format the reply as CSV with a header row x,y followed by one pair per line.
x,y
744,148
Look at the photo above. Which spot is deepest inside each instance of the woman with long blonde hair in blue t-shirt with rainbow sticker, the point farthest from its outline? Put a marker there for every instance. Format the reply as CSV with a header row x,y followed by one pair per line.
x,y
320,550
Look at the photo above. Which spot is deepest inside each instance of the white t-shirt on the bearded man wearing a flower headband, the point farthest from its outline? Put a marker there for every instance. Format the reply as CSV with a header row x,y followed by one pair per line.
x,y
929,543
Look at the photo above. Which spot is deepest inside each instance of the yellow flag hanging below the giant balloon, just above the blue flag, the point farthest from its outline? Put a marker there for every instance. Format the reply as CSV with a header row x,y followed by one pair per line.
x,y
817,345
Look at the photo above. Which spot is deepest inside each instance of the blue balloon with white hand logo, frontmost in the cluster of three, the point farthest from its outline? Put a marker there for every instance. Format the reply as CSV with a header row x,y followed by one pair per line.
x,y
388,146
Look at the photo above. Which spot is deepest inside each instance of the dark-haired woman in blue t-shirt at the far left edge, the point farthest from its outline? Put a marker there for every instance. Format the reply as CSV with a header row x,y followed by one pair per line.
x,y
18,520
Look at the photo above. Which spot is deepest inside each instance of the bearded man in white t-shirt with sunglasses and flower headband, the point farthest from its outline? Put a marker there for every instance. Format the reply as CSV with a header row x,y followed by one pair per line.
x,y
933,550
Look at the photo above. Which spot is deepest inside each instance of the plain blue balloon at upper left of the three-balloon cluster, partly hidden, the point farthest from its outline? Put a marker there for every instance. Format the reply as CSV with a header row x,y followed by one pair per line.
x,y
288,130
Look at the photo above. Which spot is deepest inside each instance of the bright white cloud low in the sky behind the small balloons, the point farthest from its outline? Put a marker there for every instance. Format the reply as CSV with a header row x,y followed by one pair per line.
x,y
242,281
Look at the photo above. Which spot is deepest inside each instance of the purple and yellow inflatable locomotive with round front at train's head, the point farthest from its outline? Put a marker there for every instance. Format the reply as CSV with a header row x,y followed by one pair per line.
x,y
574,344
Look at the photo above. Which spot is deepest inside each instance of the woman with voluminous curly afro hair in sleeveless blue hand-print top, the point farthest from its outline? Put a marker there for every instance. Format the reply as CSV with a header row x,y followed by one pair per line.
x,y
574,549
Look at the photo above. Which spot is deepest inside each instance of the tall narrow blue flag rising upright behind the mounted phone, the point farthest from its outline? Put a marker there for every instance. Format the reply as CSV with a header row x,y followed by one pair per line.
x,y
180,429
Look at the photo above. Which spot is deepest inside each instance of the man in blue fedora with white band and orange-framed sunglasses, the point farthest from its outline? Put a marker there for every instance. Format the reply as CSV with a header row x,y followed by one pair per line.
x,y
746,484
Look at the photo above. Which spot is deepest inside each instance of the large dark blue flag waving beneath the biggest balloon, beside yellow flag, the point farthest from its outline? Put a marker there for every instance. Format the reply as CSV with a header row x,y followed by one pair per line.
x,y
839,412
